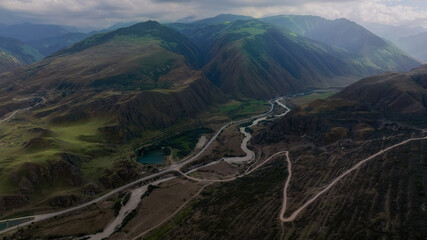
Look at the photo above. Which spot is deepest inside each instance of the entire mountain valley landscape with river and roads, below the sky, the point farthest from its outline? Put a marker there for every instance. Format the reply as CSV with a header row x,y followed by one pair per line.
x,y
230,127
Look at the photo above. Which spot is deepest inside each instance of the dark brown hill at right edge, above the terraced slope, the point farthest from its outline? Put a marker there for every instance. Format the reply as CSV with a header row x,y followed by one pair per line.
x,y
402,94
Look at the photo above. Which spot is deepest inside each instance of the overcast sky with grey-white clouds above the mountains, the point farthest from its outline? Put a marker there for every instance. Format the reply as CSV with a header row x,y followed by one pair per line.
x,y
103,13
